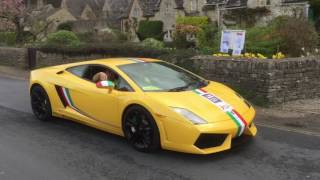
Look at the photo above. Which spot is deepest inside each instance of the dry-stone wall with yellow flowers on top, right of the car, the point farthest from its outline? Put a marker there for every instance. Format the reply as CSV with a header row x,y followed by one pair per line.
x,y
274,81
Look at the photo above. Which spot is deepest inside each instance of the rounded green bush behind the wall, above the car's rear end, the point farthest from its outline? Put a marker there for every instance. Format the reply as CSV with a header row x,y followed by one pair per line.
x,y
62,38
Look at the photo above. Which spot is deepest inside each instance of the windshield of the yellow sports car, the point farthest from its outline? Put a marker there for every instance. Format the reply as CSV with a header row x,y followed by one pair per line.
x,y
161,76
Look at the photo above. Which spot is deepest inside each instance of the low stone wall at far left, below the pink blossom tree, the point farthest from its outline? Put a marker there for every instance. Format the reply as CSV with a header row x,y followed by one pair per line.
x,y
13,57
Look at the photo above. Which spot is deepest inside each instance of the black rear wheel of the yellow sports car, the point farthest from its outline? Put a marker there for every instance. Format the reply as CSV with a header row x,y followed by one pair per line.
x,y
40,103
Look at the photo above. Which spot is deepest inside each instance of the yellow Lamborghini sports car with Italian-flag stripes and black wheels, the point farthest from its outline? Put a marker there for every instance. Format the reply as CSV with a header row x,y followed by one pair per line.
x,y
152,103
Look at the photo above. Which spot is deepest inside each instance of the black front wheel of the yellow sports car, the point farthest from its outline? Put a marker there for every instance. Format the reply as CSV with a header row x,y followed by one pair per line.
x,y
140,129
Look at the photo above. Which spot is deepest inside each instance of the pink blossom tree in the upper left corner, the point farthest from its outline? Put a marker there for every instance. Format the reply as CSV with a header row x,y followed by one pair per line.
x,y
14,11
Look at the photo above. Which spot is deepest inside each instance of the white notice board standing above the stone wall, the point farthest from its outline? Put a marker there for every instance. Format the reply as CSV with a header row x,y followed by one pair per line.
x,y
232,40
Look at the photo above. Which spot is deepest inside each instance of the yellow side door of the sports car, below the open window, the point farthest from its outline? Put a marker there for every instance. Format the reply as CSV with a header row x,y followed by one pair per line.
x,y
101,105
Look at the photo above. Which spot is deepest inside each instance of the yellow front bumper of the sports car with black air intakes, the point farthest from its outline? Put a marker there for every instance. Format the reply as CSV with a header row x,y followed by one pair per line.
x,y
204,139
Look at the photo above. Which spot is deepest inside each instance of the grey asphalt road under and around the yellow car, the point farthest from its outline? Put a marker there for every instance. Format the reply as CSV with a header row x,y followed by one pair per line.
x,y
58,150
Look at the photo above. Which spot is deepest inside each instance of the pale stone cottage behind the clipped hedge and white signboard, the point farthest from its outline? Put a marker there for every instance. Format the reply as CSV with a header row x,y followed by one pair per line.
x,y
223,12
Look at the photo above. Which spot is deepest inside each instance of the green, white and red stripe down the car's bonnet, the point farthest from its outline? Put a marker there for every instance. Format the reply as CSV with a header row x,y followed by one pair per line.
x,y
228,109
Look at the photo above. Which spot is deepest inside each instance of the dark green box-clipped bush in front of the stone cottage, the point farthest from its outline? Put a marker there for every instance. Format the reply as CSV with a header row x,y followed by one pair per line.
x,y
150,29
